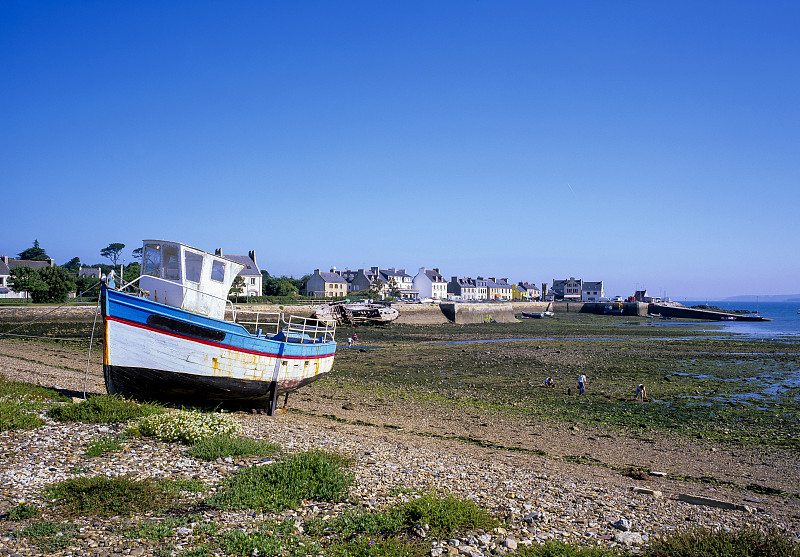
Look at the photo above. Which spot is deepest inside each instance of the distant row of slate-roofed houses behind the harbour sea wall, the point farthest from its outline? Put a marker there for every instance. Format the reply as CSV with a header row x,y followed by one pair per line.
x,y
430,284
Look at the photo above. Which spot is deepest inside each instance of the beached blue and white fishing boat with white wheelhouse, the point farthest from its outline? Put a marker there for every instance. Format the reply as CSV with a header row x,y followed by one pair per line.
x,y
166,337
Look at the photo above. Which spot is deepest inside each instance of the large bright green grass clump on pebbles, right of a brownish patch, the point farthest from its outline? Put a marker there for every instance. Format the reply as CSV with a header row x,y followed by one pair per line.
x,y
315,475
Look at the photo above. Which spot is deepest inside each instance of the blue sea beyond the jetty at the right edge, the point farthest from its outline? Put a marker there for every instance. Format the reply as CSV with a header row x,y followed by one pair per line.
x,y
785,324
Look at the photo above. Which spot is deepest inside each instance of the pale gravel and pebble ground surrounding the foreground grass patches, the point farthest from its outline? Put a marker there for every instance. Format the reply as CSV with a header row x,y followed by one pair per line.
x,y
517,470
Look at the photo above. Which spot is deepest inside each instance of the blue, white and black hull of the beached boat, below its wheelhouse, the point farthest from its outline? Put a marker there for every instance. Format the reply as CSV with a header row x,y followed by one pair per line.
x,y
159,352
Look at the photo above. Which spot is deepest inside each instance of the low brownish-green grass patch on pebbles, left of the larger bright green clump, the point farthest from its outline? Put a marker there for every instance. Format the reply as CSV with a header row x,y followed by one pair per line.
x,y
122,495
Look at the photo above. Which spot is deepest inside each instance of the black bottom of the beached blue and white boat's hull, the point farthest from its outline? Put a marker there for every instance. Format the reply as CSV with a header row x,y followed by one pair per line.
x,y
183,389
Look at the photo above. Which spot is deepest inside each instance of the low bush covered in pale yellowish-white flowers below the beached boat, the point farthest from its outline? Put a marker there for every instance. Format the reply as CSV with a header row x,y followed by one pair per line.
x,y
185,427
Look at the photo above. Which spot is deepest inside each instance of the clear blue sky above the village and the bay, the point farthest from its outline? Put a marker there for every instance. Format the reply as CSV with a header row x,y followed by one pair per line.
x,y
649,145
